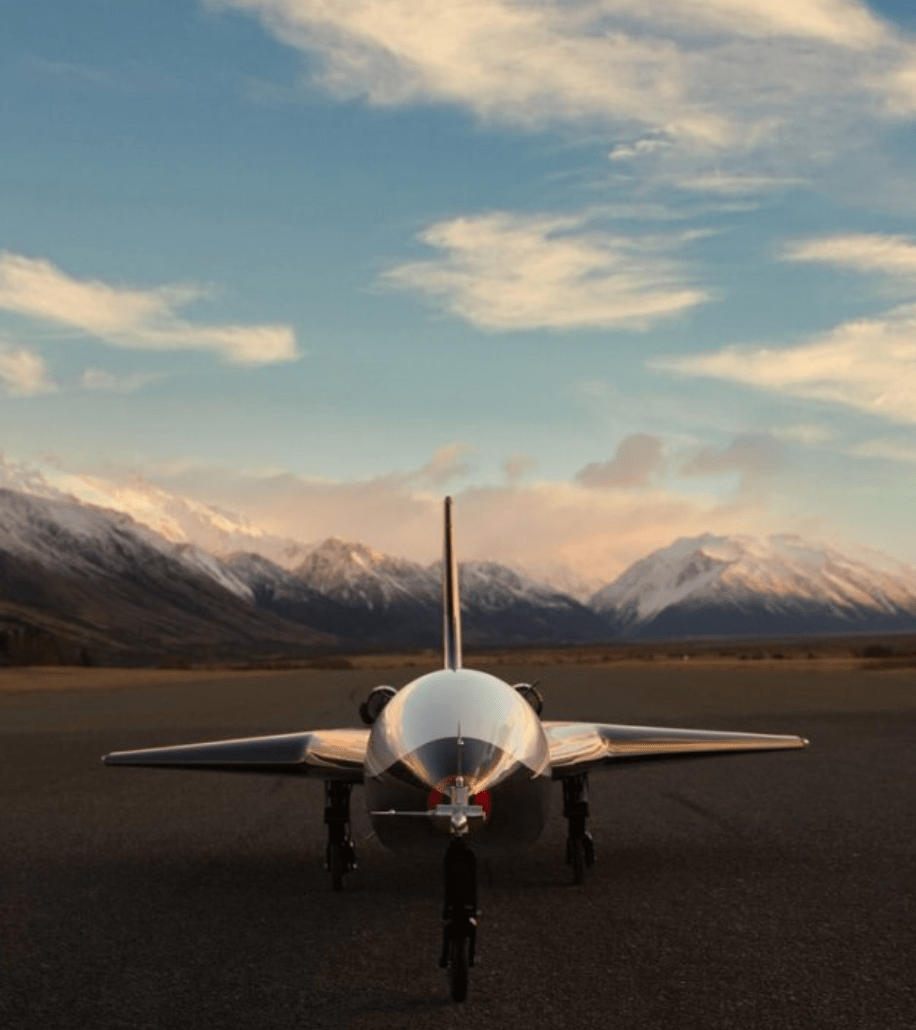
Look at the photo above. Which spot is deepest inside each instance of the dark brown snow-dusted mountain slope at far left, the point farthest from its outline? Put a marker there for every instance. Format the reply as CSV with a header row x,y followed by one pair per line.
x,y
87,581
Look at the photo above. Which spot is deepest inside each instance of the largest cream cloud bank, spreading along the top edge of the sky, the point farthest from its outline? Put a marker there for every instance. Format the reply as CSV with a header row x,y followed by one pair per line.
x,y
786,78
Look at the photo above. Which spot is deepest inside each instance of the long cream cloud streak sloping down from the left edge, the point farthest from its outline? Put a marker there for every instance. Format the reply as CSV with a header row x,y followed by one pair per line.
x,y
139,320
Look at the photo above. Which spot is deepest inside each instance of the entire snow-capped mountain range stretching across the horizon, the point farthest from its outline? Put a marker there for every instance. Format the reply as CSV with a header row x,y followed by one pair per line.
x,y
83,583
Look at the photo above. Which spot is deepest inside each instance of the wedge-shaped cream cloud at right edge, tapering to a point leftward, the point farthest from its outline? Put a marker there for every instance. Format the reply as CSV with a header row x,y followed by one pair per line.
x,y
868,365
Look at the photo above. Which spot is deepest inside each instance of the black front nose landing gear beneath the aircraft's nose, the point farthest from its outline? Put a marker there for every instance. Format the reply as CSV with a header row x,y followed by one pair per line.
x,y
460,916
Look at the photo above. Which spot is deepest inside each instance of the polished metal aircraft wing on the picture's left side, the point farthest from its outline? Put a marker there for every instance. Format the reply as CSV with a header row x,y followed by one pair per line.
x,y
331,754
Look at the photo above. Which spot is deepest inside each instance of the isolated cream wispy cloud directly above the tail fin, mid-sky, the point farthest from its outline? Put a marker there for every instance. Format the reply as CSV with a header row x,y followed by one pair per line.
x,y
504,271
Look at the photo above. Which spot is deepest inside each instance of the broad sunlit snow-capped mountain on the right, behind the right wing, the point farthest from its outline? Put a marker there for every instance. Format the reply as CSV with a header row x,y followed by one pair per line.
x,y
710,586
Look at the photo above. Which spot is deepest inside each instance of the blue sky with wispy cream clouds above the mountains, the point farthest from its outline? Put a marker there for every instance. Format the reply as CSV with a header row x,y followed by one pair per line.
x,y
610,272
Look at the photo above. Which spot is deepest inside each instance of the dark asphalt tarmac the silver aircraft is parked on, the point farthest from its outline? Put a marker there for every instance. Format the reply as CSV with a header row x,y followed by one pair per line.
x,y
772,890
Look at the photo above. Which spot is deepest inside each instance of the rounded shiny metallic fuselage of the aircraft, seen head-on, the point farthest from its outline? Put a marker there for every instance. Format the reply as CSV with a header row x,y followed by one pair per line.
x,y
450,724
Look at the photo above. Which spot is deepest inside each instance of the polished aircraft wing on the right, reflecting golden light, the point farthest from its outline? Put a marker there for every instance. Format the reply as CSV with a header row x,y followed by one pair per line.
x,y
579,747
